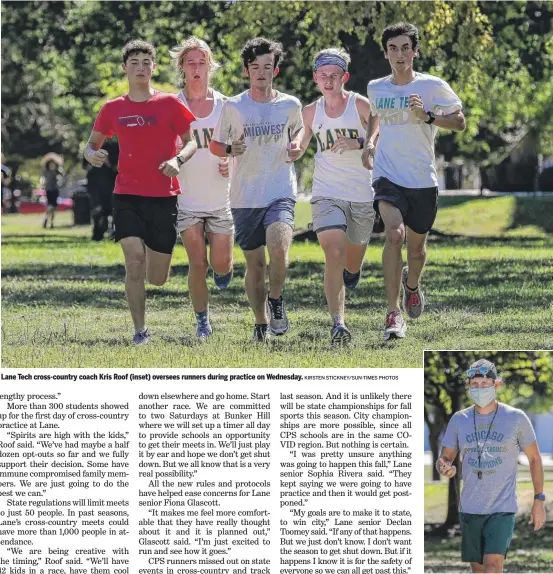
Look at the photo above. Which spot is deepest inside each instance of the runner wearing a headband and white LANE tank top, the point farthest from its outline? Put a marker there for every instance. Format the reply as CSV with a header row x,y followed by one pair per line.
x,y
342,196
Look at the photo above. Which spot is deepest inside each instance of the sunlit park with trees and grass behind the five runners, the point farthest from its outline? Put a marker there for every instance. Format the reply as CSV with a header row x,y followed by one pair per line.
x,y
490,266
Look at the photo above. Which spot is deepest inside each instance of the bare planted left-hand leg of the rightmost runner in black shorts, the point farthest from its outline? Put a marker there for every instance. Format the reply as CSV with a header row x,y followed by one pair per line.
x,y
391,257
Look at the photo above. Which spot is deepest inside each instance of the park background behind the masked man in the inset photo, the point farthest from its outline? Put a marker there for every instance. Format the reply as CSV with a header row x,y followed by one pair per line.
x,y
528,385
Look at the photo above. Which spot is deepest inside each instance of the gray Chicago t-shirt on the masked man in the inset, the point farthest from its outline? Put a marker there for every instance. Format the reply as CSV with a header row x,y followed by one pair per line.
x,y
511,432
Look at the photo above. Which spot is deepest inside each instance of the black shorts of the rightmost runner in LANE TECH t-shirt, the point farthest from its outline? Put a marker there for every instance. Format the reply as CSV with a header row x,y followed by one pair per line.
x,y
418,206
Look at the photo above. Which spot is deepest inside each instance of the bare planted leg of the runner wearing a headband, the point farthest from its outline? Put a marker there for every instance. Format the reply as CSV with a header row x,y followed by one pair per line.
x,y
333,243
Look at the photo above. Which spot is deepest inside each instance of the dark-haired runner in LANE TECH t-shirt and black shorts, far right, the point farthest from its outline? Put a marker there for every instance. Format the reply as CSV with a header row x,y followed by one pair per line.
x,y
409,107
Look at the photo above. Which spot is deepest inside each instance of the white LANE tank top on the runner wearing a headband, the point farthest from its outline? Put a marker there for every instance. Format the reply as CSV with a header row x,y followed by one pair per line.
x,y
339,175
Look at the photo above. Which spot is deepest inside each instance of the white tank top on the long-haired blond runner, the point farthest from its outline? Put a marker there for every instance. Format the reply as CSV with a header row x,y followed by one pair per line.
x,y
203,187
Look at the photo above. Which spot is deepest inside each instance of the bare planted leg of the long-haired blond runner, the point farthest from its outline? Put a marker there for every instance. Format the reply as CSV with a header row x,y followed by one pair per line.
x,y
194,243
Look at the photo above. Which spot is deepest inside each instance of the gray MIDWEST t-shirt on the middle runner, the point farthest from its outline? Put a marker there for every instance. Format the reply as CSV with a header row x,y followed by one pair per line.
x,y
261,175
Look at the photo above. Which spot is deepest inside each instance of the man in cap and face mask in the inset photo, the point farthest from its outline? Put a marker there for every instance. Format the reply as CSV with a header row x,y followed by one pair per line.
x,y
490,436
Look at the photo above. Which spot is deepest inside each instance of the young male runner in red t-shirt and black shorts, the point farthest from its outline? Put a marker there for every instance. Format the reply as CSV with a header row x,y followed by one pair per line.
x,y
147,124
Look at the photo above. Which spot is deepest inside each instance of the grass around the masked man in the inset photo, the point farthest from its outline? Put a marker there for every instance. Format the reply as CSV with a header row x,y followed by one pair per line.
x,y
530,551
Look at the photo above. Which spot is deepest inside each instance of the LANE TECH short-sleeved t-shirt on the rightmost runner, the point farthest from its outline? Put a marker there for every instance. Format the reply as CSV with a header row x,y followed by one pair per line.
x,y
405,149
